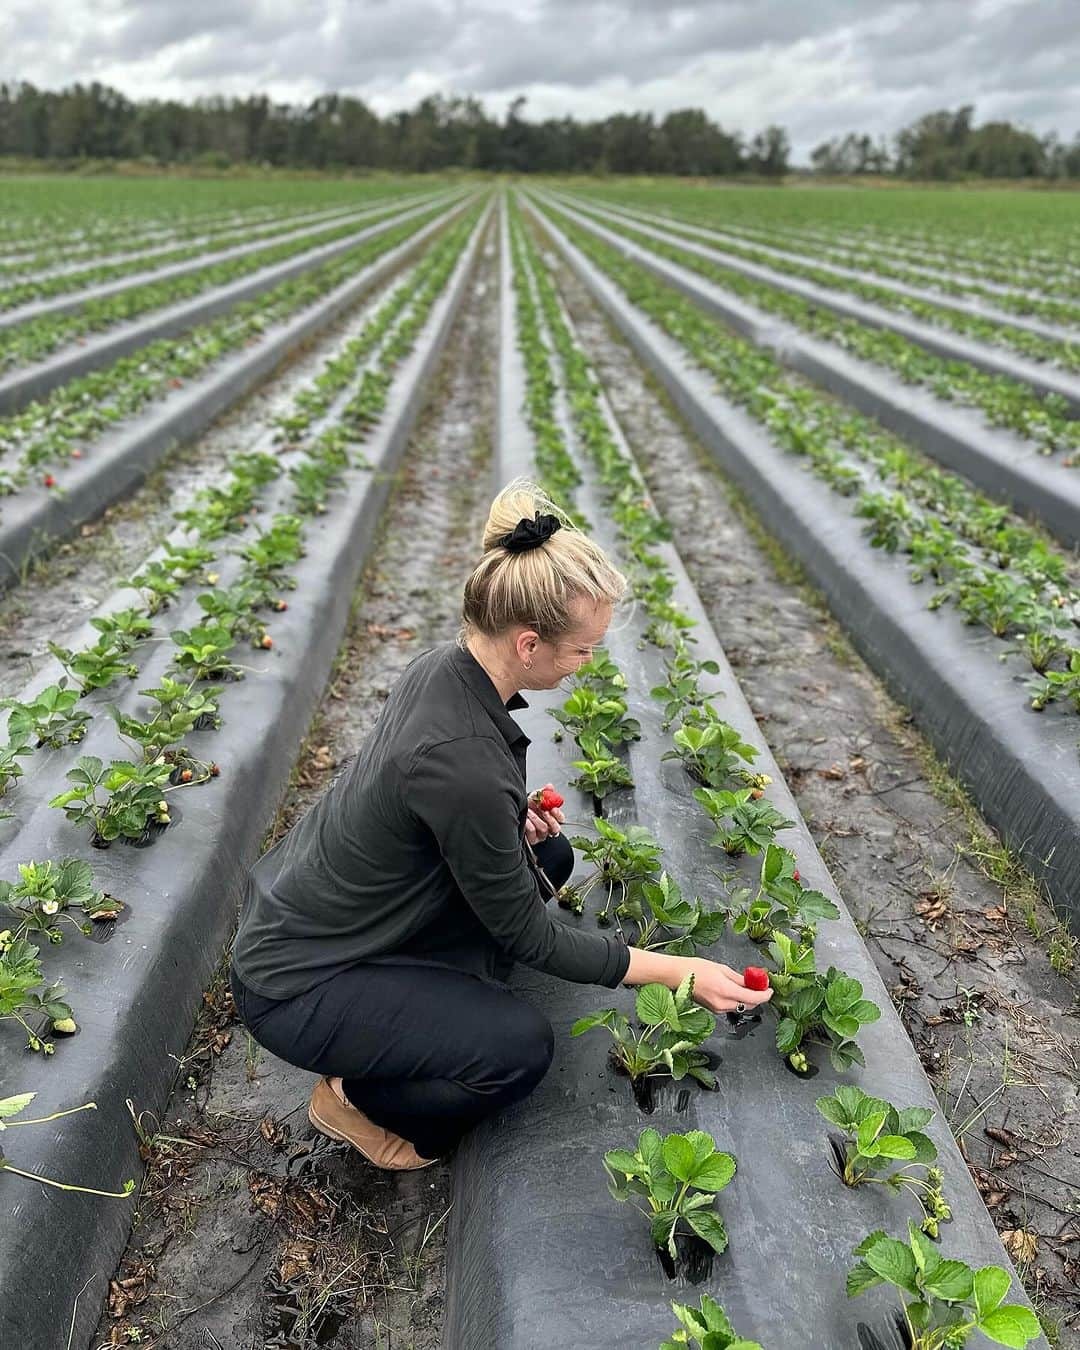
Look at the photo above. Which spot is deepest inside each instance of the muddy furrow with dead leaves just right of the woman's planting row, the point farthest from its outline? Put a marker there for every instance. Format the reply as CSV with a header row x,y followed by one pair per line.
x,y
961,935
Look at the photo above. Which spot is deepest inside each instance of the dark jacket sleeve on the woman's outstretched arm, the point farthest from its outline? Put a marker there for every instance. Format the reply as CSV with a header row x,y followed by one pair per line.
x,y
466,793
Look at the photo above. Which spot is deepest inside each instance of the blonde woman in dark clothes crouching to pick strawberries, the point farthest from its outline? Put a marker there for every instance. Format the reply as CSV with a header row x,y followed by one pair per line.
x,y
377,936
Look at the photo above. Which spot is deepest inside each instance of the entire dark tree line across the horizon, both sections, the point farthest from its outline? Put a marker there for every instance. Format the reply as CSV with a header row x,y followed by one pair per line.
x,y
338,132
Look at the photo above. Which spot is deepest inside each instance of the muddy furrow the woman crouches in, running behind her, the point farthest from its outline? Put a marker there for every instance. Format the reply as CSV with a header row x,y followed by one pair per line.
x,y
254,1232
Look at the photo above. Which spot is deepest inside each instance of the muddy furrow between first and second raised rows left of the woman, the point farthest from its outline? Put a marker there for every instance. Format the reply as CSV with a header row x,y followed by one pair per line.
x,y
60,592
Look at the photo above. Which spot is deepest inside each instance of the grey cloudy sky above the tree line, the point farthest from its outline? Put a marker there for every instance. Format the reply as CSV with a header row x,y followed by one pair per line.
x,y
817,67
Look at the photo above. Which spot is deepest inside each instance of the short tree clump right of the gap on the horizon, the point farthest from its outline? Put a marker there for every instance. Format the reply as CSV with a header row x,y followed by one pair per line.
x,y
947,145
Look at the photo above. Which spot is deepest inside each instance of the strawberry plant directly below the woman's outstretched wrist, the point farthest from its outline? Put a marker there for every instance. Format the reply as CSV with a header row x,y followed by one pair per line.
x,y
673,1028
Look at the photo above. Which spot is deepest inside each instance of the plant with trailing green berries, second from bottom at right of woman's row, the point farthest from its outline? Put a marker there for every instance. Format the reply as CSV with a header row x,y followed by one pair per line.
x,y
874,1136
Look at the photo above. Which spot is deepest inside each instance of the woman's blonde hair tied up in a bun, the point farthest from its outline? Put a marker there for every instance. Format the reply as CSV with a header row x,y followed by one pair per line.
x,y
535,588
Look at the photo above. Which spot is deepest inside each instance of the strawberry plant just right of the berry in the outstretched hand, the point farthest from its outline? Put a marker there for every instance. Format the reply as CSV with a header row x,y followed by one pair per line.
x,y
816,1009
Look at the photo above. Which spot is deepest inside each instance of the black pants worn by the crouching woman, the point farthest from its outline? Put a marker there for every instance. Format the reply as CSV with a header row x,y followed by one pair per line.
x,y
426,1048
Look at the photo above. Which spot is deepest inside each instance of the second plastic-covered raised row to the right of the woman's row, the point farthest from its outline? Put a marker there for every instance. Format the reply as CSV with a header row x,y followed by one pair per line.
x,y
878,373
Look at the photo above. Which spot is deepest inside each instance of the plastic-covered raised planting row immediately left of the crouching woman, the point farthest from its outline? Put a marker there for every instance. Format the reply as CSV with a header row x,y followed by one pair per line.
x,y
134,997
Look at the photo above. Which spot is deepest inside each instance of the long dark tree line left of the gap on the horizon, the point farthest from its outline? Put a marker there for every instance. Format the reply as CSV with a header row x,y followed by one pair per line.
x,y
337,132
